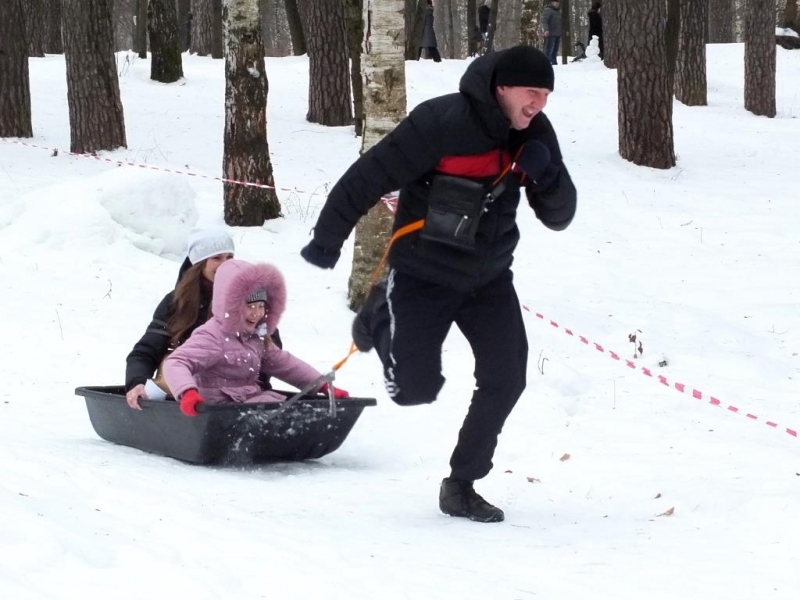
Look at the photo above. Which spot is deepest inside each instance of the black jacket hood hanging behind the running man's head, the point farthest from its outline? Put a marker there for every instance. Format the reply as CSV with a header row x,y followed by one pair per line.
x,y
477,84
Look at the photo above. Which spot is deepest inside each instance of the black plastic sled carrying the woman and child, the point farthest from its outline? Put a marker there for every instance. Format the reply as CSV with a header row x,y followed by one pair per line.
x,y
228,433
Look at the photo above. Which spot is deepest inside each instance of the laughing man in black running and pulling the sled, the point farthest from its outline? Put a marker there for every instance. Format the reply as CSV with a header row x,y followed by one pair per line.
x,y
460,161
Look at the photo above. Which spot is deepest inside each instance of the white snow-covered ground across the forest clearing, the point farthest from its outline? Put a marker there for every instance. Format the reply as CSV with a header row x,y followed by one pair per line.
x,y
661,496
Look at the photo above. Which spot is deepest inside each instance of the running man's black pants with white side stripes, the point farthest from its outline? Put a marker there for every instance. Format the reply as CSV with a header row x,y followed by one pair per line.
x,y
409,342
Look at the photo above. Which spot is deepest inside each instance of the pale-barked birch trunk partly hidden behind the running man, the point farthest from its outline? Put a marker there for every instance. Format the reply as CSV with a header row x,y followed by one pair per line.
x,y
385,104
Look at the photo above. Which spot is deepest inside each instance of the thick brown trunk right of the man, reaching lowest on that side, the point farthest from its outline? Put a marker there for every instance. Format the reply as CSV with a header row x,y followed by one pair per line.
x,y
645,102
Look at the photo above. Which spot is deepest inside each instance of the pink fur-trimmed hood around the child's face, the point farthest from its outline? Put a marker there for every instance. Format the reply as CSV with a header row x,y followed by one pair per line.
x,y
237,279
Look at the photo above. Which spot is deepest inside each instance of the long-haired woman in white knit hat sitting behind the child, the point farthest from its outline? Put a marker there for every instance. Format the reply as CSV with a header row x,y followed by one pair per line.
x,y
178,314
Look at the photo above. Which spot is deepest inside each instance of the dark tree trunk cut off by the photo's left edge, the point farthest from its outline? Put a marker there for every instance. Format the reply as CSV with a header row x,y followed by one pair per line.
x,y
15,93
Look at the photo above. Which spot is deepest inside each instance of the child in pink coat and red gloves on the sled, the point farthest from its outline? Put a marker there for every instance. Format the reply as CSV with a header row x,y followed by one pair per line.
x,y
222,359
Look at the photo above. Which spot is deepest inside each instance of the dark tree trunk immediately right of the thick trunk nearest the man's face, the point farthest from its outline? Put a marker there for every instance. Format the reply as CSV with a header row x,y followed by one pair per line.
x,y
691,86
